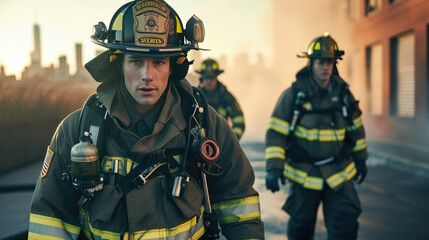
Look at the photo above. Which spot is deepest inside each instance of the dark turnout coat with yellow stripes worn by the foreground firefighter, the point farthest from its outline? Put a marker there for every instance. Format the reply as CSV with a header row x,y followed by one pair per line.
x,y
149,212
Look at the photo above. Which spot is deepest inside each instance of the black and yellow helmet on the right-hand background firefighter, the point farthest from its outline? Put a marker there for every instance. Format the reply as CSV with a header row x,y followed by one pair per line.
x,y
323,47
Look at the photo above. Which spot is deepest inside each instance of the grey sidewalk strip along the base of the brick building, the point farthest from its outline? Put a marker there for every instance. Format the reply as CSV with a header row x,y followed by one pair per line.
x,y
401,155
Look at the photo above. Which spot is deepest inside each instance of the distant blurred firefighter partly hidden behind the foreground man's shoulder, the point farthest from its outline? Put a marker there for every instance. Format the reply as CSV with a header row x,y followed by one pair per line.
x,y
219,97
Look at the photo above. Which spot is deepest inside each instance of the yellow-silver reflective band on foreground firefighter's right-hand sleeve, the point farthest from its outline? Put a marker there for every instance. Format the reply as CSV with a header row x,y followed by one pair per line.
x,y
238,210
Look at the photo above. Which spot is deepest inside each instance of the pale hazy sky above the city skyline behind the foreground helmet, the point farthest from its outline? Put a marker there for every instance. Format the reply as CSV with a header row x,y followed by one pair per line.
x,y
232,26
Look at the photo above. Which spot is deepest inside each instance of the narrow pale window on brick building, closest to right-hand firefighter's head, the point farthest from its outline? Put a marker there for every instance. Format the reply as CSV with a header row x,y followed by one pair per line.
x,y
374,56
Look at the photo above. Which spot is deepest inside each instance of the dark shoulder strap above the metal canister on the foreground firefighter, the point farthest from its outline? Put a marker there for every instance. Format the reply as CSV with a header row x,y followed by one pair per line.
x,y
93,119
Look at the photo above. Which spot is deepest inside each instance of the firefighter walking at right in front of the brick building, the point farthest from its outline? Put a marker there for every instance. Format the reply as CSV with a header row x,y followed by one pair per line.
x,y
315,139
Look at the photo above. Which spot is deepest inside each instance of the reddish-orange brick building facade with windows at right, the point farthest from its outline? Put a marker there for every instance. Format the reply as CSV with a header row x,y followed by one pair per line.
x,y
392,39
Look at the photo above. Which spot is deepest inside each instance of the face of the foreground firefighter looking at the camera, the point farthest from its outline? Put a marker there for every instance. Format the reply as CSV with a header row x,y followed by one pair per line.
x,y
146,79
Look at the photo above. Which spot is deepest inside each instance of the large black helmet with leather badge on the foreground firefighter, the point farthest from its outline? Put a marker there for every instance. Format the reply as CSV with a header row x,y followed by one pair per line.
x,y
149,28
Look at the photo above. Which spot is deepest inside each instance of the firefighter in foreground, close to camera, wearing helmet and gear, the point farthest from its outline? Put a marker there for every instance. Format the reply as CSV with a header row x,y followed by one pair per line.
x,y
167,166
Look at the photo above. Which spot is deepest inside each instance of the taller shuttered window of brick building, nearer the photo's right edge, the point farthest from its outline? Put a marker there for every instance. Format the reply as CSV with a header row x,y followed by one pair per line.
x,y
402,94
